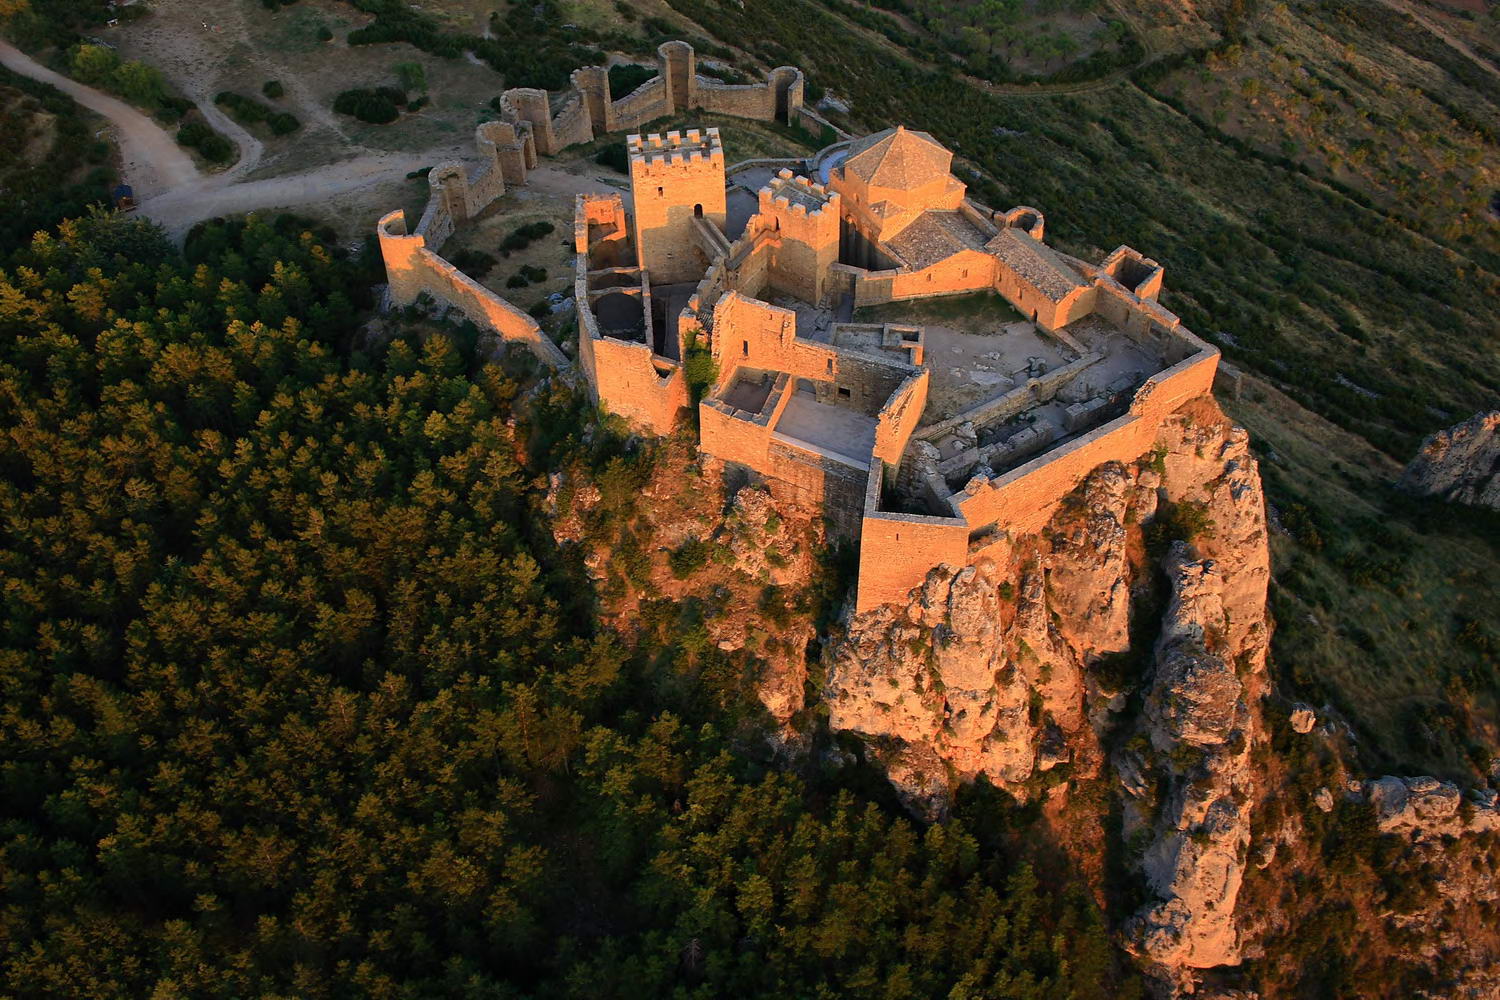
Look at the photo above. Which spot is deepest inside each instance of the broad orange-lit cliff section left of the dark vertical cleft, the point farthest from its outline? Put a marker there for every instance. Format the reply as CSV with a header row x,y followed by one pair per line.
x,y
983,669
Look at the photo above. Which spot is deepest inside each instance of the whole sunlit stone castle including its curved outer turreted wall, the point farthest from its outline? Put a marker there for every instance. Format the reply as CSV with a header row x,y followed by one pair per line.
x,y
926,445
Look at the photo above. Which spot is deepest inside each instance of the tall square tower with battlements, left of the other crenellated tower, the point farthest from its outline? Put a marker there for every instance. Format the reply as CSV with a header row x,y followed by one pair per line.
x,y
676,181
